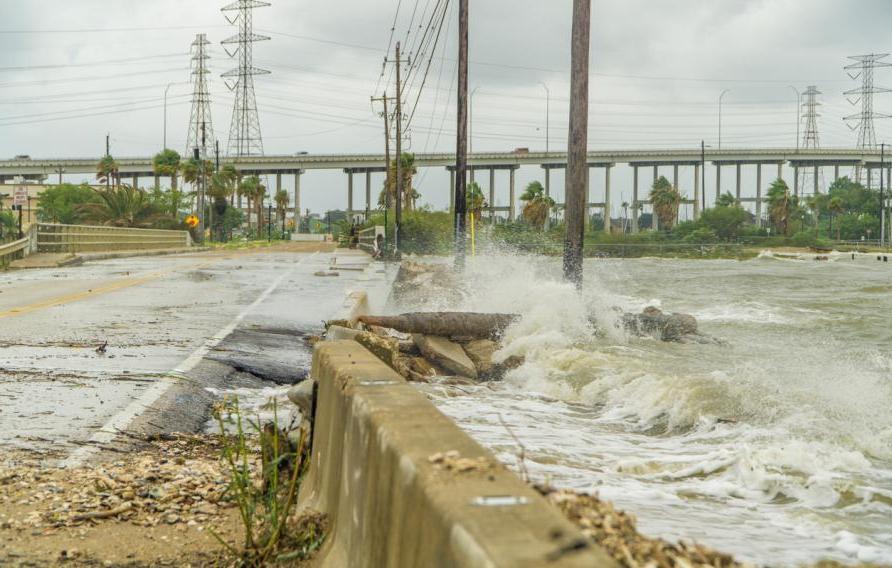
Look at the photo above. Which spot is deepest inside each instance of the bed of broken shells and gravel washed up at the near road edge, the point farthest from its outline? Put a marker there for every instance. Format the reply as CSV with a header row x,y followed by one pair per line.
x,y
180,481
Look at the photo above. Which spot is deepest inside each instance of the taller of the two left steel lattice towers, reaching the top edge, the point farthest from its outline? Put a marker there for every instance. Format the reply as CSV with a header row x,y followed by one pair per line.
x,y
244,130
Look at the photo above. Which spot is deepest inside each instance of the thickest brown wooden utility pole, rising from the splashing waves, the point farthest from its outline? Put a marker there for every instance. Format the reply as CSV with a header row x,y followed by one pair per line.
x,y
577,144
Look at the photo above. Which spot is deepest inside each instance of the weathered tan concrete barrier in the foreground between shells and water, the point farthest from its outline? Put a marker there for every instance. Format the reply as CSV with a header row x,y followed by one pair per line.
x,y
391,507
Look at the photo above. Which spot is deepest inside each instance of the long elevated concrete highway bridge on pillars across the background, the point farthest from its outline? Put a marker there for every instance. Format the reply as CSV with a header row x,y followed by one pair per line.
x,y
490,162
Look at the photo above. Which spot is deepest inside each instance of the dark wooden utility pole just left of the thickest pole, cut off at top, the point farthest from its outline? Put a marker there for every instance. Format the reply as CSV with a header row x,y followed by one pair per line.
x,y
461,152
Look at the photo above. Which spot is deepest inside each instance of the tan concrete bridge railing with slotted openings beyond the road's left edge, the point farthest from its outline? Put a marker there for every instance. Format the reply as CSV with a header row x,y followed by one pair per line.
x,y
88,238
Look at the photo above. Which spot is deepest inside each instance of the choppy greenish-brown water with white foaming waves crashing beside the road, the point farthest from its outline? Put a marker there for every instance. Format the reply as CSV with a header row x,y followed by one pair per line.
x,y
776,447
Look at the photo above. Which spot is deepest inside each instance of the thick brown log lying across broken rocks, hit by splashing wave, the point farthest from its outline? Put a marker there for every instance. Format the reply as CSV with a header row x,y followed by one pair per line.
x,y
446,324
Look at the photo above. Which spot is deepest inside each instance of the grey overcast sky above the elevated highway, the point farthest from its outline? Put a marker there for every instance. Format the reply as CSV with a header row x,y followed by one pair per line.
x,y
74,71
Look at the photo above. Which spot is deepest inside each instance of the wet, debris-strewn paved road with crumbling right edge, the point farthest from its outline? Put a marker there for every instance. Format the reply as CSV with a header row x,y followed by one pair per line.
x,y
166,320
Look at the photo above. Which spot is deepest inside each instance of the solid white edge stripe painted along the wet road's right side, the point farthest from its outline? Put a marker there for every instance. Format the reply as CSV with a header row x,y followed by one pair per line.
x,y
120,421
